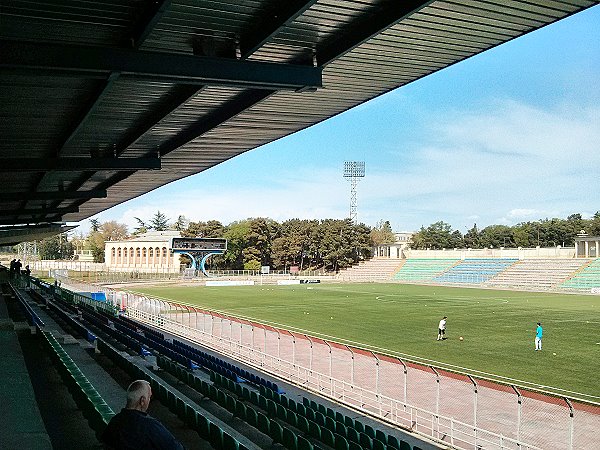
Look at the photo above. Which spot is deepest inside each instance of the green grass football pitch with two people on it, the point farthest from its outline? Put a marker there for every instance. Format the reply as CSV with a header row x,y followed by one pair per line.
x,y
498,327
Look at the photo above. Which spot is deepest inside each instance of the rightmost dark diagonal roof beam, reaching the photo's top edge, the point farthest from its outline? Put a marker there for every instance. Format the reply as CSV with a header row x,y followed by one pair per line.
x,y
388,14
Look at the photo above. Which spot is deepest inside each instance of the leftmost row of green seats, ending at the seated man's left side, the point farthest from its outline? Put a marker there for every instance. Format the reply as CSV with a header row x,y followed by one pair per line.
x,y
93,406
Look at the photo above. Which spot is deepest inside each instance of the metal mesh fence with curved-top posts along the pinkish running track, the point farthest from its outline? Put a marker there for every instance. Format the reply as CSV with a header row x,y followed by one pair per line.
x,y
456,409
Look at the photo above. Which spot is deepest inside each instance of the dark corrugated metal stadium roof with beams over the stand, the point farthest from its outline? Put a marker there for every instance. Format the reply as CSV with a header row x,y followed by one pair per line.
x,y
104,101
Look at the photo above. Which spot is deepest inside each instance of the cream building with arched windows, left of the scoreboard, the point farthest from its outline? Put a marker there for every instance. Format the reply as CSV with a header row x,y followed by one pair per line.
x,y
148,252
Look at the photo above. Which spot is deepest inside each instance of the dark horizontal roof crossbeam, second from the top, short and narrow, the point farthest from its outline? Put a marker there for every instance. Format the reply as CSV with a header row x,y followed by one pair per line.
x,y
77,164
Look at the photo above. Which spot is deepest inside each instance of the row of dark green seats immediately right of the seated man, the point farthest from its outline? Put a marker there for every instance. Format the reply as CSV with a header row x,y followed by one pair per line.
x,y
207,430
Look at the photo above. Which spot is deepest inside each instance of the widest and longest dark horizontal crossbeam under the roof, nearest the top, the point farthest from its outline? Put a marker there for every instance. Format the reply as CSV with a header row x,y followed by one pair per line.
x,y
175,68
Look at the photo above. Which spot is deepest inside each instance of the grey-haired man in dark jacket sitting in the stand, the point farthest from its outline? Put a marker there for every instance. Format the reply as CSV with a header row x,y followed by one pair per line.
x,y
133,428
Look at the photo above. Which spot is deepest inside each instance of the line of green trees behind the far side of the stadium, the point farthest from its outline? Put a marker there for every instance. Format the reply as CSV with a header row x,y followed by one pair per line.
x,y
331,244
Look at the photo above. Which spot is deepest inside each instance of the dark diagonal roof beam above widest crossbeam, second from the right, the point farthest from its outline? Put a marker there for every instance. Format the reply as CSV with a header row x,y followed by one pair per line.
x,y
272,23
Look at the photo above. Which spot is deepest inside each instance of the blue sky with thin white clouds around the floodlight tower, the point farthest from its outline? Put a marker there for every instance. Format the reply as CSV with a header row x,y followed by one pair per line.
x,y
507,136
